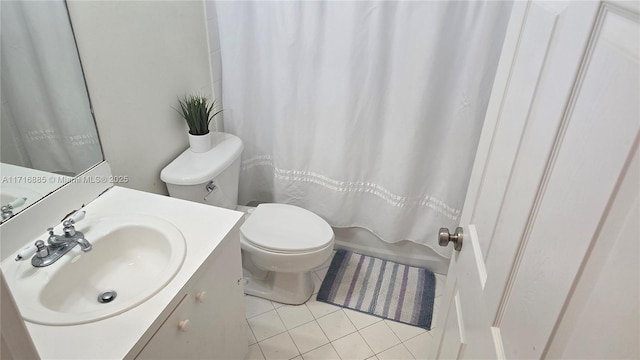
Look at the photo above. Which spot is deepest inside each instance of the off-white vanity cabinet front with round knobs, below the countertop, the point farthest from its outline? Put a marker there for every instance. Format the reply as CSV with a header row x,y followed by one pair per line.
x,y
208,321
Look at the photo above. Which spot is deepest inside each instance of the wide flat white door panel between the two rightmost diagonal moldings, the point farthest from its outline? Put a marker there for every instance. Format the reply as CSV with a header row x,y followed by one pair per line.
x,y
591,154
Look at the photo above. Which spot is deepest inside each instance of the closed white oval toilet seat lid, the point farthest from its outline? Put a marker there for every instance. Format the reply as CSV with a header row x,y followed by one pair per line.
x,y
286,229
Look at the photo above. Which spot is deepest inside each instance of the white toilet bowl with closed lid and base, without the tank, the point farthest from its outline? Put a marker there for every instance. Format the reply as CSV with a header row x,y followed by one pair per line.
x,y
281,244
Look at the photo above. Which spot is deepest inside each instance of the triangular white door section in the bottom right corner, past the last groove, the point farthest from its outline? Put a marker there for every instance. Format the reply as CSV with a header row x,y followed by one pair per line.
x,y
610,274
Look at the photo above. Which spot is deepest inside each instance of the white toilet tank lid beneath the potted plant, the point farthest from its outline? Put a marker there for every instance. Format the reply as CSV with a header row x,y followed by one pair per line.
x,y
196,168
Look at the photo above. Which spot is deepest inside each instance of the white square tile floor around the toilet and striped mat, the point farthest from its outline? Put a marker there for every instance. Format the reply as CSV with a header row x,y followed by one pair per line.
x,y
317,330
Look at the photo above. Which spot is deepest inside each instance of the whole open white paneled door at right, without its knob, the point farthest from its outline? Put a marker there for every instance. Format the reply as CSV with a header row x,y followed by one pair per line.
x,y
549,262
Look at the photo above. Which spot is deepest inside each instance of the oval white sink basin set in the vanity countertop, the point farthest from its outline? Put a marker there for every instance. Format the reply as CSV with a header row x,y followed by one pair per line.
x,y
134,256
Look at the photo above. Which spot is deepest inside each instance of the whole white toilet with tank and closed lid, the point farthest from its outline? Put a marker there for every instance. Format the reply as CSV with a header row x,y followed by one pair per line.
x,y
280,243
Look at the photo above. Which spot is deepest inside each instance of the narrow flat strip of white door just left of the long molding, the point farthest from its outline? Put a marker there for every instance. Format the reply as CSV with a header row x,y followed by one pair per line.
x,y
524,192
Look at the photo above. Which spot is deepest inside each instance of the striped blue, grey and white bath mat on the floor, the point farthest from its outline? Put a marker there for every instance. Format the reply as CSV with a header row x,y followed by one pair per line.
x,y
379,287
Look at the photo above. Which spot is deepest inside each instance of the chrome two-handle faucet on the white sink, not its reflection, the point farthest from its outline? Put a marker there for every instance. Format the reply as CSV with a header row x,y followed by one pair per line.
x,y
59,245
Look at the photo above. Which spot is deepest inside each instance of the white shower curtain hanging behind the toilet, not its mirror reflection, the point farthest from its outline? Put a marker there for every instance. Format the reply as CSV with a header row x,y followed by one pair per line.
x,y
366,113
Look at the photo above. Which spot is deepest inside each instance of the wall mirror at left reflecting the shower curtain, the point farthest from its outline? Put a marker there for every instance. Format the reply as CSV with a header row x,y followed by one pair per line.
x,y
48,133
